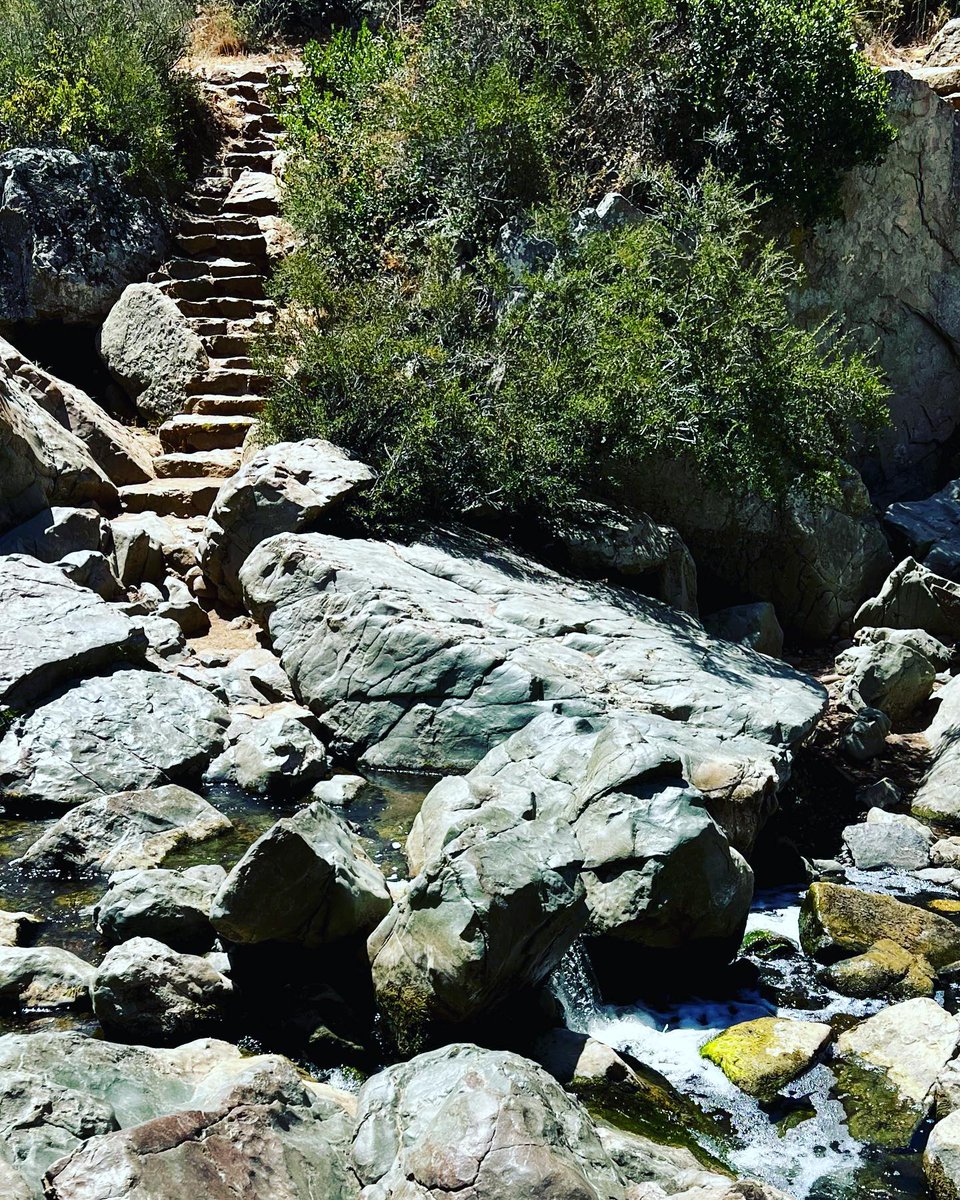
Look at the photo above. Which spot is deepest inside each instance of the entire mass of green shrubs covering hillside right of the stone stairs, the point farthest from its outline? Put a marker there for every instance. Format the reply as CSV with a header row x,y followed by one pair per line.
x,y
463,320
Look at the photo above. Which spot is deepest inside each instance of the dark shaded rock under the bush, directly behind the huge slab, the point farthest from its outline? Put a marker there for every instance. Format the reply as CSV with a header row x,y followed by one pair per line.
x,y
604,542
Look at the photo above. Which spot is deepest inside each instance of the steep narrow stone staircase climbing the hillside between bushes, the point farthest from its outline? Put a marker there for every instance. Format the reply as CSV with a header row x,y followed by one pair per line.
x,y
219,283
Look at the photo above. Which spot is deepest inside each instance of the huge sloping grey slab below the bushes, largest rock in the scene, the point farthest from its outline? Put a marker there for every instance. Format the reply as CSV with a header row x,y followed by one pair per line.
x,y
429,656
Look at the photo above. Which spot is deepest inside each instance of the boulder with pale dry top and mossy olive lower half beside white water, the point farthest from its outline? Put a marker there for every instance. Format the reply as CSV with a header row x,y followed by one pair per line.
x,y
889,1066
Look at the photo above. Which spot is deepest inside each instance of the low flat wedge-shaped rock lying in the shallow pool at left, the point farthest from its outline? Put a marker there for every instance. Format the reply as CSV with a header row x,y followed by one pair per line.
x,y
125,832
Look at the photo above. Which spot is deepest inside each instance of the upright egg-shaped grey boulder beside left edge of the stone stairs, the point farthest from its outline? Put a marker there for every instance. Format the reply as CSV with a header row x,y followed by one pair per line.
x,y
152,351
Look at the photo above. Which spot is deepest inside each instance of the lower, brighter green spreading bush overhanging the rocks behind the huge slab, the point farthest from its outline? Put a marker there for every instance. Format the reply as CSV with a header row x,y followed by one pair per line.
x,y
475,397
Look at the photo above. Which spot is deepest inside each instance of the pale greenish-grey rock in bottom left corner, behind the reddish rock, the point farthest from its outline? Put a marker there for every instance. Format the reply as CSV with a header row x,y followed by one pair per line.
x,y
58,1090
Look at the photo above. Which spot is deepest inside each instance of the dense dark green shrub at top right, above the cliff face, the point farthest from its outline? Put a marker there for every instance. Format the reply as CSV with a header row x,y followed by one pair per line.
x,y
773,92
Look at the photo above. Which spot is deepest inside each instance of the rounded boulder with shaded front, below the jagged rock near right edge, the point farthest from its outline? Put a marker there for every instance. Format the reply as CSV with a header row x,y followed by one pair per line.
x,y
889,673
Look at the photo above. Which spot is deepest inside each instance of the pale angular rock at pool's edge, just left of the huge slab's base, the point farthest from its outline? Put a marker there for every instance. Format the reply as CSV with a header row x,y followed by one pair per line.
x,y
275,752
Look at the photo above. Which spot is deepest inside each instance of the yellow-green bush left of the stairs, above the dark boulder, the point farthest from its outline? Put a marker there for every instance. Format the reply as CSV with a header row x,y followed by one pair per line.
x,y
97,73
